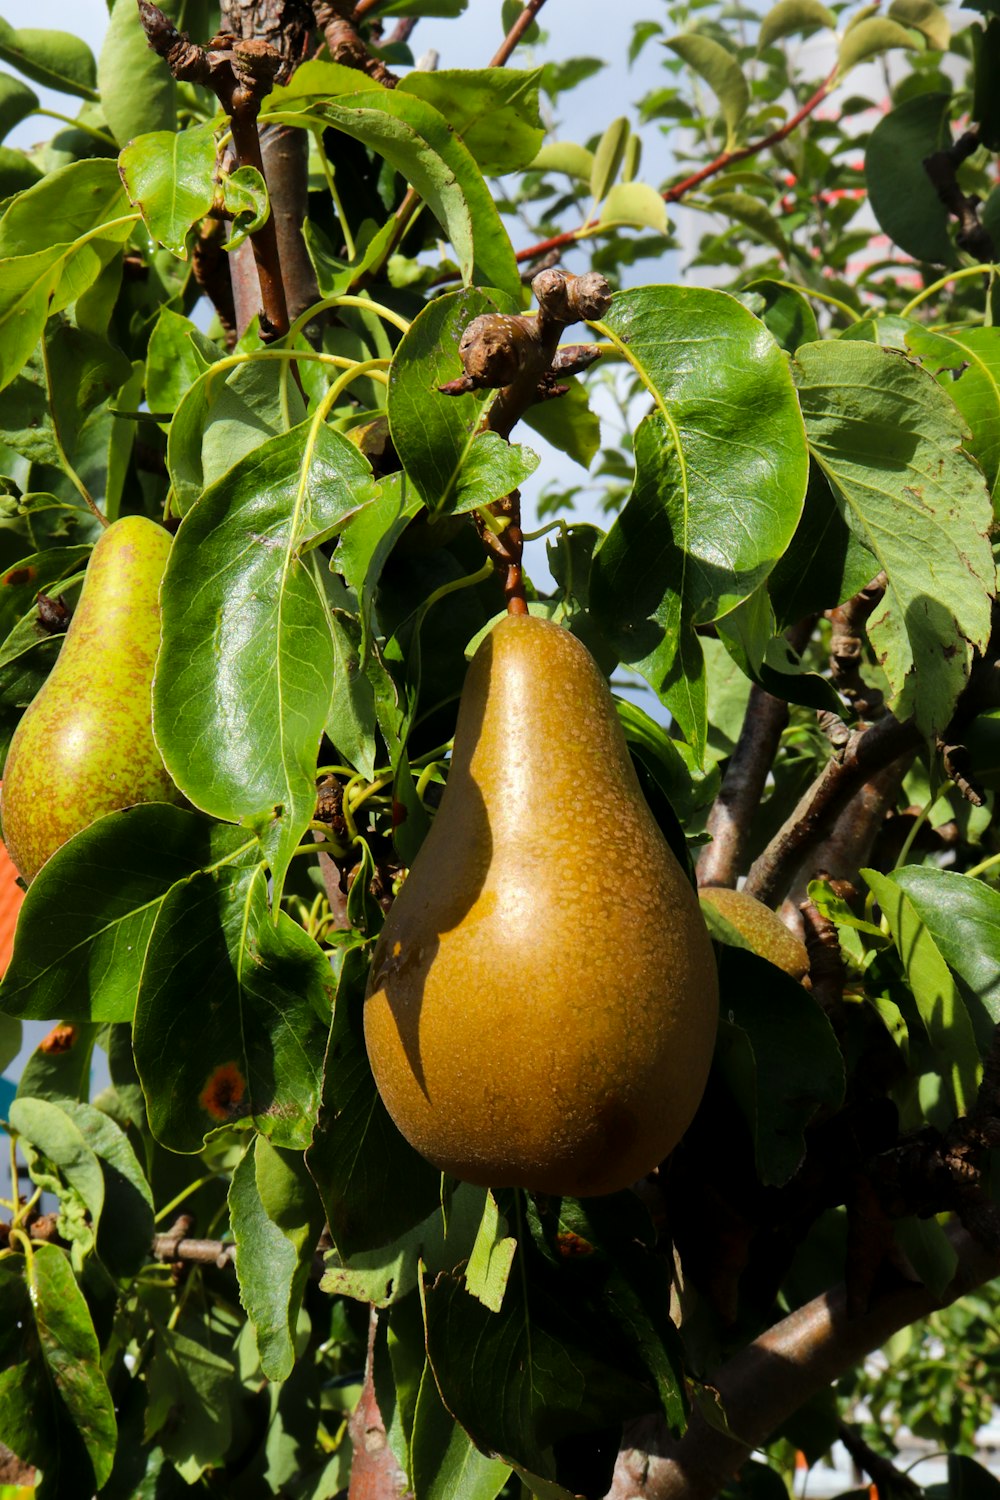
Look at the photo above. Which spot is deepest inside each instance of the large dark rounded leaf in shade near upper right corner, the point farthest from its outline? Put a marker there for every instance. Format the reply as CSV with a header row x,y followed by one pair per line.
x,y
903,197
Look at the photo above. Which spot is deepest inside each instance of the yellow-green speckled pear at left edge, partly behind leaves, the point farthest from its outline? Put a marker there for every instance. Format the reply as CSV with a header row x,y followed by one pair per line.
x,y
85,746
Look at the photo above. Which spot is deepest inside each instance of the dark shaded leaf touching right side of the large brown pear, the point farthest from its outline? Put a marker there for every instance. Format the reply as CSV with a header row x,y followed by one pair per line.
x,y
779,1055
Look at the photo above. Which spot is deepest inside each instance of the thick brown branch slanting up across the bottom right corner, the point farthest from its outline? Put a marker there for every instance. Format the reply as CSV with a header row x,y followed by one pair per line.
x,y
773,1378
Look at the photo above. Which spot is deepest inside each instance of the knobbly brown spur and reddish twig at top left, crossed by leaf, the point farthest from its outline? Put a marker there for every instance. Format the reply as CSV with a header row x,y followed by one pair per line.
x,y
241,71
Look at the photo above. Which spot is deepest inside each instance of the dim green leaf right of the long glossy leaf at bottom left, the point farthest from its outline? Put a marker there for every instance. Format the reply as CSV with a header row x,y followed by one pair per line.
x,y
190,1403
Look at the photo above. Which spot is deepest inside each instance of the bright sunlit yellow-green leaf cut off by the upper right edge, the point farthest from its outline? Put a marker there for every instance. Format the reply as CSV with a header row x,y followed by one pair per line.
x,y
968,365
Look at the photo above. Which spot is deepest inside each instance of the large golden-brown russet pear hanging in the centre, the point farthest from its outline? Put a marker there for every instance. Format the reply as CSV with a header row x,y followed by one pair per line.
x,y
543,998
